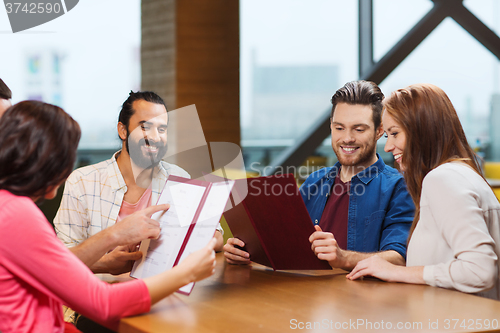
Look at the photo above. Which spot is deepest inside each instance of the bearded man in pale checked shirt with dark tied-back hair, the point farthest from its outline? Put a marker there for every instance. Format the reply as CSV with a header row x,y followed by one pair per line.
x,y
100,195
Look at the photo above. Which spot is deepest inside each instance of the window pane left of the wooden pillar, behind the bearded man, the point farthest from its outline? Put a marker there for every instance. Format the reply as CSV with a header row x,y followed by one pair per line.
x,y
85,61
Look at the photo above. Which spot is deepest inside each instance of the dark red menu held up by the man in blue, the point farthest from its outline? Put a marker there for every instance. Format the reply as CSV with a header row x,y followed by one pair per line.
x,y
273,221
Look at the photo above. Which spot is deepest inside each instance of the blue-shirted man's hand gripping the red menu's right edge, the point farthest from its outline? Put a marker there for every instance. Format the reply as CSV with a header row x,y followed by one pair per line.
x,y
326,248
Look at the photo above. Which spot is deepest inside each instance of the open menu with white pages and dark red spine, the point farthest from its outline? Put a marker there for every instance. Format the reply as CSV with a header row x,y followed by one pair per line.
x,y
195,210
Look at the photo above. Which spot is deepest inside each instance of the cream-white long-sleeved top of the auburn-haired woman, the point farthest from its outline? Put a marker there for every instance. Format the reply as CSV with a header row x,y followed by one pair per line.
x,y
457,238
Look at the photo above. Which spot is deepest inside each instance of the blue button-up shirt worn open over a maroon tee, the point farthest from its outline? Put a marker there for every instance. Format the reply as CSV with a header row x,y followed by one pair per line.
x,y
380,208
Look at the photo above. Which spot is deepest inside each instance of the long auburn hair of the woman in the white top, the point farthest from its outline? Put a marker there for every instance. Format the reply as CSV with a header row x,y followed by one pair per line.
x,y
434,135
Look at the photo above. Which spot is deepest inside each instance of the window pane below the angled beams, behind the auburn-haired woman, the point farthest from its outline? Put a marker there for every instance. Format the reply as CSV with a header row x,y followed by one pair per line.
x,y
454,61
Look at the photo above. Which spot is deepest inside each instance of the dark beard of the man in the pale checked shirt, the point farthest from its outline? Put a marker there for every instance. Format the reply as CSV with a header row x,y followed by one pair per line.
x,y
145,160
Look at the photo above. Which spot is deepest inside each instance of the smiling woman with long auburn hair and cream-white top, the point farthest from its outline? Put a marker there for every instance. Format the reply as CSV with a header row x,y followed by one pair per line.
x,y
455,237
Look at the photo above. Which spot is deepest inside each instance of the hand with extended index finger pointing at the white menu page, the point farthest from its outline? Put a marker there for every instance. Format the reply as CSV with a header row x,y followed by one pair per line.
x,y
138,226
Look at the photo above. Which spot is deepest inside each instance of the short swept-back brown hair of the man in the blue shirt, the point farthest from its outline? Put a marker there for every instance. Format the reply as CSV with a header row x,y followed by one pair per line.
x,y
362,93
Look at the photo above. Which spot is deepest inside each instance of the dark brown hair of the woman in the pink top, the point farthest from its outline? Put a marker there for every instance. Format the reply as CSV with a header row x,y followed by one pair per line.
x,y
38,143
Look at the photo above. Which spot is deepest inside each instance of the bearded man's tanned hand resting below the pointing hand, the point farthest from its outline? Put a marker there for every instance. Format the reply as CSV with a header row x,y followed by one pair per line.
x,y
120,260
